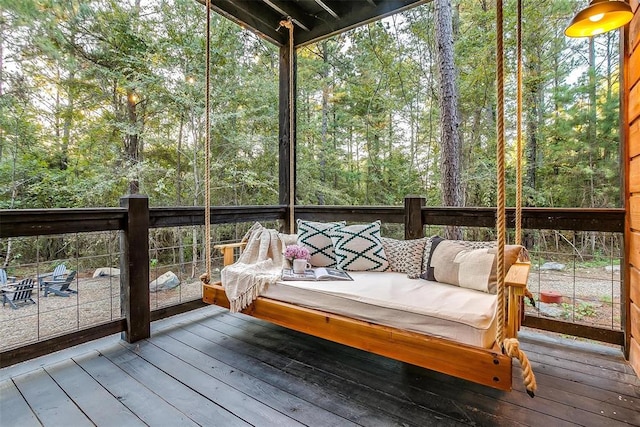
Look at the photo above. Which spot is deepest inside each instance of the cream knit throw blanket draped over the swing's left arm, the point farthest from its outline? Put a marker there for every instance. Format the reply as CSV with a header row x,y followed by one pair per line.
x,y
259,265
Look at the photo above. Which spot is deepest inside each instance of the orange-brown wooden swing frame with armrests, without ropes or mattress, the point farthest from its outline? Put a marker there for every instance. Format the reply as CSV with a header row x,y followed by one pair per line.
x,y
489,367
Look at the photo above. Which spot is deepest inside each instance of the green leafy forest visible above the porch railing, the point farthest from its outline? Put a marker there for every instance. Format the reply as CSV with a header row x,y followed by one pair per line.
x,y
102,98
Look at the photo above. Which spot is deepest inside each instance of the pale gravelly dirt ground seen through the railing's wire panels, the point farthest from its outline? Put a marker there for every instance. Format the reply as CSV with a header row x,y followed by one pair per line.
x,y
590,296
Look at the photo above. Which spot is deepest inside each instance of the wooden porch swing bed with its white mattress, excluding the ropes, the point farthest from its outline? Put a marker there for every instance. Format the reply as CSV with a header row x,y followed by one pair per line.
x,y
425,323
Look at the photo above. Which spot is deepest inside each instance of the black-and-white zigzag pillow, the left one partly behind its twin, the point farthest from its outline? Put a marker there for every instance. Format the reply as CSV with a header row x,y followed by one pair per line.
x,y
316,236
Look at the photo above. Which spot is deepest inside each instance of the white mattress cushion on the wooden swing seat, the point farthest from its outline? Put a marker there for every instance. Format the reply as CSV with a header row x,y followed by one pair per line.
x,y
392,299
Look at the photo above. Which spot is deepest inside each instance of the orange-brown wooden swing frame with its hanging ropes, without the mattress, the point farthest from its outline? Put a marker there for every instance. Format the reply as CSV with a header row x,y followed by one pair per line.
x,y
490,367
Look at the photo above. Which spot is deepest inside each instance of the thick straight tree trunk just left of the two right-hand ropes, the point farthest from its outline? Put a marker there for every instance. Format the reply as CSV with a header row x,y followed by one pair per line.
x,y
449,117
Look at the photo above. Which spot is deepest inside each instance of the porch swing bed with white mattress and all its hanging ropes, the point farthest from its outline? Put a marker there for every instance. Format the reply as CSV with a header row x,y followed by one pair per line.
x,y
460,332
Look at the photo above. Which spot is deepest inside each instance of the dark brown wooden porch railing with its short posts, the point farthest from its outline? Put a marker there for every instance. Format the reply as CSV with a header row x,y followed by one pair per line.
x,y
134,219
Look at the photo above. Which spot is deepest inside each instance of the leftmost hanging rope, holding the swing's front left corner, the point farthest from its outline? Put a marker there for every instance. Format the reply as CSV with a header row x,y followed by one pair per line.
x,y
206,277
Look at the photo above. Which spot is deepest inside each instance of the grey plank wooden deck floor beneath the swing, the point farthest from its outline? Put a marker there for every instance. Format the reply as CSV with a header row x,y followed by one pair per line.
x,y
212,368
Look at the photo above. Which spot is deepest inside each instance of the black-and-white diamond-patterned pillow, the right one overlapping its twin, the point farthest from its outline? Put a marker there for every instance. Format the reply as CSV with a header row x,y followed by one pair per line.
x,y
359,248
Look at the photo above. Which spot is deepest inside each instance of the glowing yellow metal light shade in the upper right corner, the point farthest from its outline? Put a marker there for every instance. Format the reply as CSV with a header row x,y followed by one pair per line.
x,y
599,17
